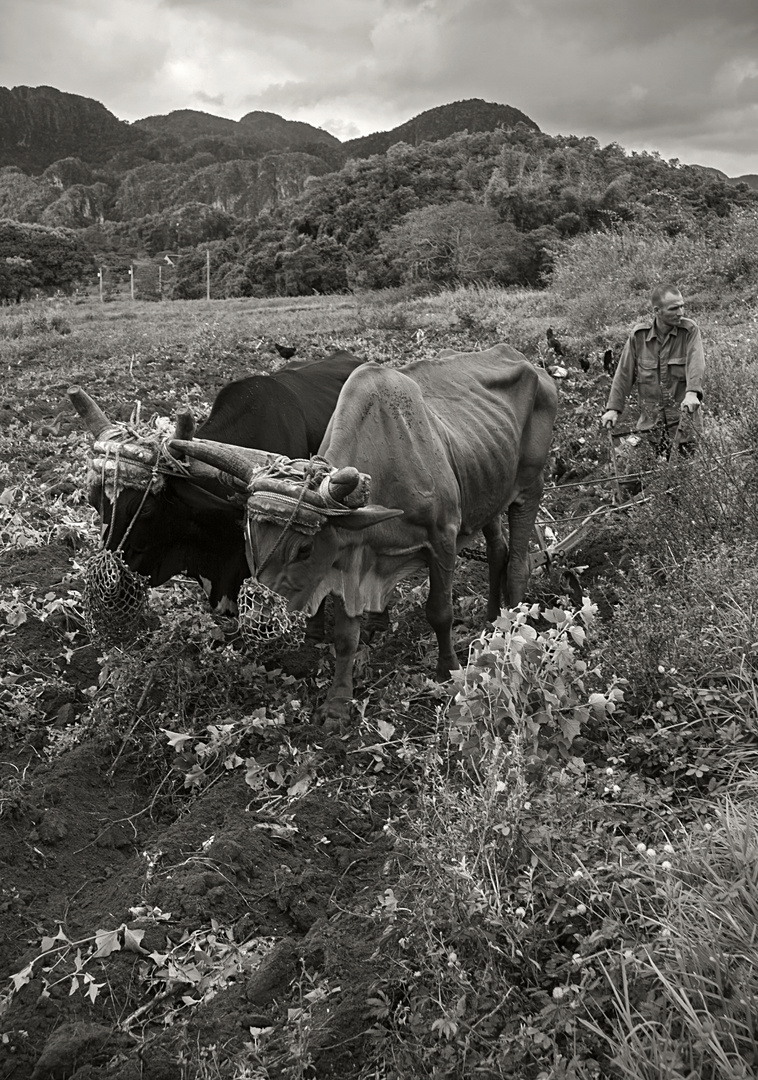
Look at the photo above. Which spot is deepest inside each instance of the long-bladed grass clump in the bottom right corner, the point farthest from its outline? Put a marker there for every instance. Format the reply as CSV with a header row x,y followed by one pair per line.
x,y
685,1004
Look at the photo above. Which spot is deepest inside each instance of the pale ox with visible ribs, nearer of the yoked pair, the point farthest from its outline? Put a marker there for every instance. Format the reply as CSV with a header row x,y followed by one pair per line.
x,y
450,445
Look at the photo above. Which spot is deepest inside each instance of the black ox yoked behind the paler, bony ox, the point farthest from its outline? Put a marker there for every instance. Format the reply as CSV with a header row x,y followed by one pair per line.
x,y
187,524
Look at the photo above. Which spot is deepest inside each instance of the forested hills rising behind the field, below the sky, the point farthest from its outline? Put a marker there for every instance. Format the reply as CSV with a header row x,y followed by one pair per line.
x,y
467,193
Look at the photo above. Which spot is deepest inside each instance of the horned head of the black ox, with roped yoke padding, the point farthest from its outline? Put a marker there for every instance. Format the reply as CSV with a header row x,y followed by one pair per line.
x,y
165,523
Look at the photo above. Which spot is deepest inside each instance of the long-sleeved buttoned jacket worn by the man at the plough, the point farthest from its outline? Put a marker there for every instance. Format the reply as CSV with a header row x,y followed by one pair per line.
x,y
665,372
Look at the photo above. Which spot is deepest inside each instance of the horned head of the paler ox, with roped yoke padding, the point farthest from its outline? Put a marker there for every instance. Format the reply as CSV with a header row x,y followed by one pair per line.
x,y
300,519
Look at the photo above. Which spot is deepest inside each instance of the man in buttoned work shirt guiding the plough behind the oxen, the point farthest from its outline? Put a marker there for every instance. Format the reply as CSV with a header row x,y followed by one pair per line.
x,y
665,357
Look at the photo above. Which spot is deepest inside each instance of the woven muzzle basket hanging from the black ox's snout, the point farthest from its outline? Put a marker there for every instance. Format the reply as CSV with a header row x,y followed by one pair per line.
x,y
115,601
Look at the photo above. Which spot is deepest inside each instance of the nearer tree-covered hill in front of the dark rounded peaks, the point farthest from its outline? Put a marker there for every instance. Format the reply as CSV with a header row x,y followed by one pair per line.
x,y
431,212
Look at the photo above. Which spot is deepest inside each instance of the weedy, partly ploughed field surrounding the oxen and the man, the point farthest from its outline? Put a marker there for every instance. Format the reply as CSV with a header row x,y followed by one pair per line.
x,y
197,881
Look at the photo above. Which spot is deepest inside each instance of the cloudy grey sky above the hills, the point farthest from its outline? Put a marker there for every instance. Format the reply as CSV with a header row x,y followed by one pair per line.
x,y
675,76
